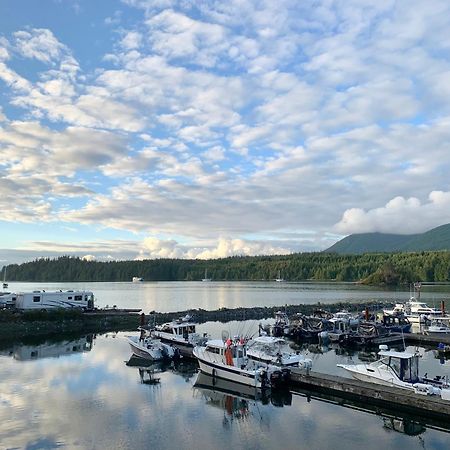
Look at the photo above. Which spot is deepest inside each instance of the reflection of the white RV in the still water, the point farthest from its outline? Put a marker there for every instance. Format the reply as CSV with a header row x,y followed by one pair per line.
x,y
50,349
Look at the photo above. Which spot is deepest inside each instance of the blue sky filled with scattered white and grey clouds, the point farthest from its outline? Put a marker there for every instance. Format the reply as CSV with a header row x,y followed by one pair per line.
x,y
133,129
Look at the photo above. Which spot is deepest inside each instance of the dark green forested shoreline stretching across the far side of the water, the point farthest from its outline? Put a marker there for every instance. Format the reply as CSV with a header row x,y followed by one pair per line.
x,y
370,268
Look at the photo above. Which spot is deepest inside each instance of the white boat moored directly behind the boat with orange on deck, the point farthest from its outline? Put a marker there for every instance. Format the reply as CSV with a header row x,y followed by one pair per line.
x,y
275,350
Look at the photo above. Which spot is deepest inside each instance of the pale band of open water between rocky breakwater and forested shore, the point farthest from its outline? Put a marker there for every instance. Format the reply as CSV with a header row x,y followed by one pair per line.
x,y
177,296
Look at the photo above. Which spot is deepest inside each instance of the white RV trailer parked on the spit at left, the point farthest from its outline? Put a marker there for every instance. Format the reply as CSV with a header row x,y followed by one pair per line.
x,y
44,300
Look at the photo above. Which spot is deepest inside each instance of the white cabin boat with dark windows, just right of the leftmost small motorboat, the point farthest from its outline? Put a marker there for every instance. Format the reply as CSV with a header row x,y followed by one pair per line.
x,y
181,334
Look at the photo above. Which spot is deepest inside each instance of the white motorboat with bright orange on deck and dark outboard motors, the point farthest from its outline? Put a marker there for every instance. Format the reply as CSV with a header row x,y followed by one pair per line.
x,y
228,360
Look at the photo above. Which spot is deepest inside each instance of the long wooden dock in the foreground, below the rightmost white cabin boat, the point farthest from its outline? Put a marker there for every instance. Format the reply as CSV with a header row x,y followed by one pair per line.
x,y
383,396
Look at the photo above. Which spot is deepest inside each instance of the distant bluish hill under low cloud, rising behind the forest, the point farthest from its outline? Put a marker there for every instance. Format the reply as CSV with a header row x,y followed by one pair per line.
x,y
432,240
